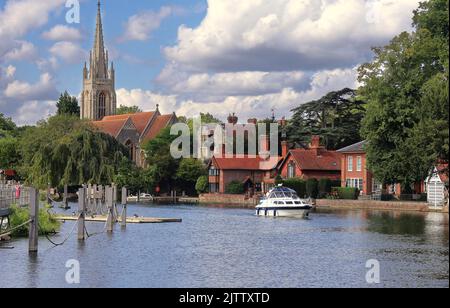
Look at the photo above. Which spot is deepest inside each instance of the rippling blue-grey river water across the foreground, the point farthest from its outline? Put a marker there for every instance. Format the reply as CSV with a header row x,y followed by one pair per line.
x,y
219,247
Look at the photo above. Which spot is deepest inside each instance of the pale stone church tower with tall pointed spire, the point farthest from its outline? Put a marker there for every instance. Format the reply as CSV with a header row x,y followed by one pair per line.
x,y
98,98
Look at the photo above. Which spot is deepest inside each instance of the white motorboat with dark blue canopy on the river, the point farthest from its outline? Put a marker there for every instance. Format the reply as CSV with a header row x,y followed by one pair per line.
x,y
283,202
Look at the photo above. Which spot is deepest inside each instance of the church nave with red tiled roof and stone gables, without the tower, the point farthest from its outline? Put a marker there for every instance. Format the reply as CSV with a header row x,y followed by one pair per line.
x,y
133,130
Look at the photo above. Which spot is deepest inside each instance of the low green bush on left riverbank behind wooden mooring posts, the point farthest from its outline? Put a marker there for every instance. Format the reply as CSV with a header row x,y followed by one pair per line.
x,y
19,215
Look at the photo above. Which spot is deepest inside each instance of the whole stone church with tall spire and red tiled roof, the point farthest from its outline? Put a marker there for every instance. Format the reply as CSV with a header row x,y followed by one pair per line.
x,y
99,103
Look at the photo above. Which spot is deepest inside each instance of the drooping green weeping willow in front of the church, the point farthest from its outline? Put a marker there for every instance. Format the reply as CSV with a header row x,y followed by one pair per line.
x,y
65,150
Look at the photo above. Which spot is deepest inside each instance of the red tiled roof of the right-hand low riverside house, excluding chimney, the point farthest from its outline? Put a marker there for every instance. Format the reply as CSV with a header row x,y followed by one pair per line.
x,y
309,160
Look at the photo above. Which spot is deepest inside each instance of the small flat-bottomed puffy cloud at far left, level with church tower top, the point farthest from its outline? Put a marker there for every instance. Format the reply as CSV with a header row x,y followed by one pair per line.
x,y
44,89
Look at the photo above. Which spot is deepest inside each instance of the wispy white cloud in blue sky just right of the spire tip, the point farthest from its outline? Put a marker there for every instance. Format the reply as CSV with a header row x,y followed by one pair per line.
x,y
139,27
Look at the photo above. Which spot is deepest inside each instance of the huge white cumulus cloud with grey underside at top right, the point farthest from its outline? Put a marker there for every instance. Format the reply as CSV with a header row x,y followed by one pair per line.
x,y
257,35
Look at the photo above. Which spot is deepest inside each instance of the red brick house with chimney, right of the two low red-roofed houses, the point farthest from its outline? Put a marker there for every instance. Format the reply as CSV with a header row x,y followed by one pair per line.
x,y
315,162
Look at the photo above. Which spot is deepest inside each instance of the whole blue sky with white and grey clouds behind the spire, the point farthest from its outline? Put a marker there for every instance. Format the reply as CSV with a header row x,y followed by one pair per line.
x,y
190,56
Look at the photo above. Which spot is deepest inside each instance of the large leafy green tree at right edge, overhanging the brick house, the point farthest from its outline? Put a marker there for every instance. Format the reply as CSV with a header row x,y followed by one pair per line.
x,y
406,87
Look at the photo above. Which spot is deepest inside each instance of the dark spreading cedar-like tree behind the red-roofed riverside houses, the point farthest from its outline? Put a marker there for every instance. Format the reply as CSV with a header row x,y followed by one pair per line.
x,y
336,117
